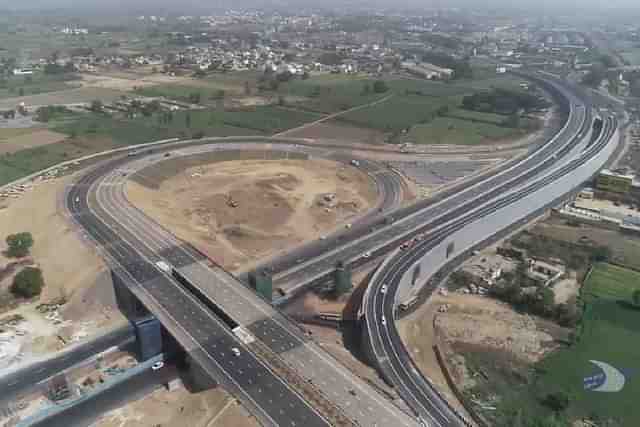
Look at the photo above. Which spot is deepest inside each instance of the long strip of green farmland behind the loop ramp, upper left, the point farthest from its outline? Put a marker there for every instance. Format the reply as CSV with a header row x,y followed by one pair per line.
x,y
93,133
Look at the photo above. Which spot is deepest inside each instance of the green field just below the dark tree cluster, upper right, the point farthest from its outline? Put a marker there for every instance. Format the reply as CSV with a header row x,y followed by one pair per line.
x,y
449,130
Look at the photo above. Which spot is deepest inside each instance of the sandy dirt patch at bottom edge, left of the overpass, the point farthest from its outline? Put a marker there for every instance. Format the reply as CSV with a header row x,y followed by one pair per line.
x,y
212,408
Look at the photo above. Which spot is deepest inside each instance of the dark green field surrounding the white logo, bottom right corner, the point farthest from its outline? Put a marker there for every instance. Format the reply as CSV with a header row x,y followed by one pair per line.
x,y
611,334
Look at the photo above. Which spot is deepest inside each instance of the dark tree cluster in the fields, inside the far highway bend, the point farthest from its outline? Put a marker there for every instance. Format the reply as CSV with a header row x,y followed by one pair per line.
x,y
503,101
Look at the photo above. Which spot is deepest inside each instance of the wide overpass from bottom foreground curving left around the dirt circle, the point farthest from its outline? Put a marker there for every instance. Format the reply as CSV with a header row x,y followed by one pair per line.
x,y
133,243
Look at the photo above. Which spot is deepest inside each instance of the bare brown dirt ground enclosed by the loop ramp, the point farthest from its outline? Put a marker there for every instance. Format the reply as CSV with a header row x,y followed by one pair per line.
x,y
280,204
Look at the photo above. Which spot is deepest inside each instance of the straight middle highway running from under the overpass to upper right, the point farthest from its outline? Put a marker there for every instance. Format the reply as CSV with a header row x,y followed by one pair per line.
x,y
380,238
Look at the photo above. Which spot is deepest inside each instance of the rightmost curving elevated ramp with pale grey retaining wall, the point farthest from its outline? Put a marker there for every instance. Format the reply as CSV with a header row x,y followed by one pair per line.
x,y
393,359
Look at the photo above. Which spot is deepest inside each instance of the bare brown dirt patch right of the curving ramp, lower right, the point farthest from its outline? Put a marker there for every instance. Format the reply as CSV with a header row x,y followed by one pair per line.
x,y
472,320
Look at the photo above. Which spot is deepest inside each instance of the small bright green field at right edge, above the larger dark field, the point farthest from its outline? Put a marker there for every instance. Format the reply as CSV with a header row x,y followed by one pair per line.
x,y
611,282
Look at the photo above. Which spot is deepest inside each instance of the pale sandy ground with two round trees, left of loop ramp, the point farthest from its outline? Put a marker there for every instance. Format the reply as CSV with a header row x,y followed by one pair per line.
x,y
70,268
